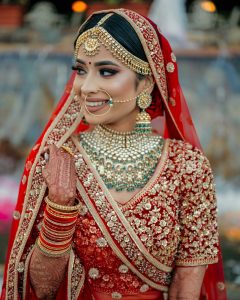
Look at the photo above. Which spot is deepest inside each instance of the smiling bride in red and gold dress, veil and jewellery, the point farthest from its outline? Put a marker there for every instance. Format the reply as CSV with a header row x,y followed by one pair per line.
x,y
117,200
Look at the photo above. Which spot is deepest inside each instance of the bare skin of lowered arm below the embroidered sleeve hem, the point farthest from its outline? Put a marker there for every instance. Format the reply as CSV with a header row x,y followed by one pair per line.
x,y
186,283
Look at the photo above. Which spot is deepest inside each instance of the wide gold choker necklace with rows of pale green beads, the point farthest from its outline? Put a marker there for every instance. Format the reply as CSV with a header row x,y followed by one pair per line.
x,y
125,161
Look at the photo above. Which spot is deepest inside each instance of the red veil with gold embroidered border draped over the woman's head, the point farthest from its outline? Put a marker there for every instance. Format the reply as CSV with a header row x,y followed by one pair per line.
x,y
170,117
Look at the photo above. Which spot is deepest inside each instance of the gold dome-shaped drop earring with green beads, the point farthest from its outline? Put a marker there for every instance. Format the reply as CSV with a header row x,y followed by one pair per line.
x,y
143,120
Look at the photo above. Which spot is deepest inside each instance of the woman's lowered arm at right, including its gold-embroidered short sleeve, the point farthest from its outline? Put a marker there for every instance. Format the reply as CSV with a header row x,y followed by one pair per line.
x,y
198,245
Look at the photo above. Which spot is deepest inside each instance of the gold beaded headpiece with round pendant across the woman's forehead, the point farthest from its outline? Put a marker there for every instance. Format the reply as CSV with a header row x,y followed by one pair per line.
x,y
94,37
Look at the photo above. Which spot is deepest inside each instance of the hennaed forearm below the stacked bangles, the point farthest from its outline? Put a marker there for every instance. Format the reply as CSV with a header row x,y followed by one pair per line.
x,y
47,274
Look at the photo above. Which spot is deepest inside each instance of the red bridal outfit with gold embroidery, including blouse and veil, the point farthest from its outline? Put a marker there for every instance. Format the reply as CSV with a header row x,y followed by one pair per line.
x,y
126,251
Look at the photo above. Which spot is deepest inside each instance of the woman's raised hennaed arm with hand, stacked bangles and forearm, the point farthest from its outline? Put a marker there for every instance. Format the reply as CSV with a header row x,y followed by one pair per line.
x,y
48,271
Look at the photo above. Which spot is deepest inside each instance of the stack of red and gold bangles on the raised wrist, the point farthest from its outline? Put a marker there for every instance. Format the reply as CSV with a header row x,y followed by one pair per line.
x,y
55,237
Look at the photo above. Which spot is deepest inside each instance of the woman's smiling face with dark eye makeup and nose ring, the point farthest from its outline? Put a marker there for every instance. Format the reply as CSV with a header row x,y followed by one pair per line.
x,y
100,77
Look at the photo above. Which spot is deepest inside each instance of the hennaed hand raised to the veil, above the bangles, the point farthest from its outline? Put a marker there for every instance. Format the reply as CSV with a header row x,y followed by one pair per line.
x,y
60,176
